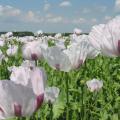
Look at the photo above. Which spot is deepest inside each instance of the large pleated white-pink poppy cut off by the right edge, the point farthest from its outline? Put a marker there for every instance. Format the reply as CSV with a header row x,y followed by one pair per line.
x,y
107,38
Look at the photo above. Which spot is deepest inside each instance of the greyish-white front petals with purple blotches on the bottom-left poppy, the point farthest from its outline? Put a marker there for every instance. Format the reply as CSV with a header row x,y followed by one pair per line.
x,y
17,100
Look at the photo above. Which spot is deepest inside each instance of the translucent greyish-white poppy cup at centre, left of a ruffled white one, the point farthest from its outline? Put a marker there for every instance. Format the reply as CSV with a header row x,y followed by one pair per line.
x,y
57,59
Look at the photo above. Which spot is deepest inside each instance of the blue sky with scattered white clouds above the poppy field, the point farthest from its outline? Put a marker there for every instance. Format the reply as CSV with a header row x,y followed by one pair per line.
x,y
55,15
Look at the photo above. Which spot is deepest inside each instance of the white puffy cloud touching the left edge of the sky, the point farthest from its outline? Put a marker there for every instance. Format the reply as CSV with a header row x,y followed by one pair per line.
x,y
9,11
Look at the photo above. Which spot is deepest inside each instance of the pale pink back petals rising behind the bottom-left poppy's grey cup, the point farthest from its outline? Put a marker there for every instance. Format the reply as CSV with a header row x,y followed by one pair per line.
x,y
34,78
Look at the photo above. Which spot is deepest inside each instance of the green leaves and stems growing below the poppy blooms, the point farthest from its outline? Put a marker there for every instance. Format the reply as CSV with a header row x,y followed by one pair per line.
x,y
102,105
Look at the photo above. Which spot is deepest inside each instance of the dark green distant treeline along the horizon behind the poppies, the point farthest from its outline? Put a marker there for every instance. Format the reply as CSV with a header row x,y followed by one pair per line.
x,y
26,33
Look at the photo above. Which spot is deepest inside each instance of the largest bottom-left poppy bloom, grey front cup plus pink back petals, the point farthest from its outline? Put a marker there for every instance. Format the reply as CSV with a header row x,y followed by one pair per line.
x,y
23,94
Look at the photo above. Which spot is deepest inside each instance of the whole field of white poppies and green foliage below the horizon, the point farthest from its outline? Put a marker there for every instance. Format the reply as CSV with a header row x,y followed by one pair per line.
x,y
75,77
